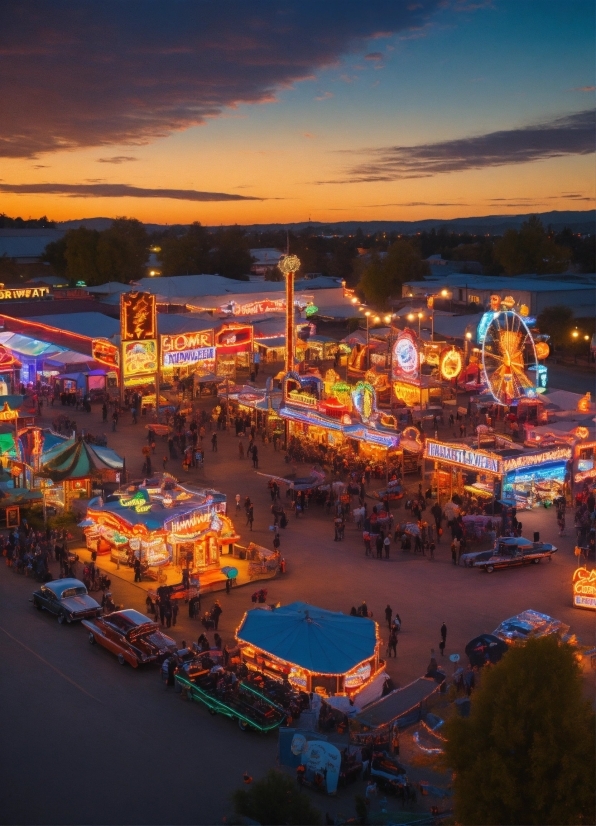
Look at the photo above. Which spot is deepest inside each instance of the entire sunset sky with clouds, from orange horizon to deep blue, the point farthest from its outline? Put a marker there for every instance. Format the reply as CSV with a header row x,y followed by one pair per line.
x,y
234,112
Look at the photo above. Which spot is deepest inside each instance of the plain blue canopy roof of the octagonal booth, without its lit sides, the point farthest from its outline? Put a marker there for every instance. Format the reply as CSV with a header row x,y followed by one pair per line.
x,y
323,642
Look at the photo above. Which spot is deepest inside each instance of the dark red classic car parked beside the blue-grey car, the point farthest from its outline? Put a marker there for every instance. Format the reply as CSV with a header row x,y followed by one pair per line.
x,y
130,635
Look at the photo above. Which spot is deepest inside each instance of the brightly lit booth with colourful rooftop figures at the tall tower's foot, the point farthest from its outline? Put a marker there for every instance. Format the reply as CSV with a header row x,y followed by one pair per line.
x,y
340,415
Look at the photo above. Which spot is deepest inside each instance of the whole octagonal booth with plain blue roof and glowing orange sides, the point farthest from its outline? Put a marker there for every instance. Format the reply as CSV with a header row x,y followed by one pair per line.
x,y
316,650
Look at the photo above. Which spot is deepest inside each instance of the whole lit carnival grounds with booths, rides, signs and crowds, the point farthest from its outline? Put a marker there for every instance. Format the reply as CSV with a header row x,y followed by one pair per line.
x,y
327,552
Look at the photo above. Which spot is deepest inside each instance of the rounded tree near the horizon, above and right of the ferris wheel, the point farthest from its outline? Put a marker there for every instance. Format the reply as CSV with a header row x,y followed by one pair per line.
x,y
530,250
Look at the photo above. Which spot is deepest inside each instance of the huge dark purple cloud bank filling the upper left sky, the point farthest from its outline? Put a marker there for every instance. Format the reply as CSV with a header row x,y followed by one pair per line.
x,y
107,72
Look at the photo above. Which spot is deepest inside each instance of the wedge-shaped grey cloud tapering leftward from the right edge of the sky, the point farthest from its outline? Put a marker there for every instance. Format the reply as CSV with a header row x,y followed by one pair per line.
x,y
568,135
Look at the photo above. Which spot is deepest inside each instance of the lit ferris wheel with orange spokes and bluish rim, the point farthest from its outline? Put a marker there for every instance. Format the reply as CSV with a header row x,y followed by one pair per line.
x,y
509,357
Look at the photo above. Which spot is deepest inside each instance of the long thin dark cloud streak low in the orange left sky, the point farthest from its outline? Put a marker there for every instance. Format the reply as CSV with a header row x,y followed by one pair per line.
x,y
99,190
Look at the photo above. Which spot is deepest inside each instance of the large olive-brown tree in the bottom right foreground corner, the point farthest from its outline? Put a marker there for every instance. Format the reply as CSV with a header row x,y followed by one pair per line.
x,y
525,755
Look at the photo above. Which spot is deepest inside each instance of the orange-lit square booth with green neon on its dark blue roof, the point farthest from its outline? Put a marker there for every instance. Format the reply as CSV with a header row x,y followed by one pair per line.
x,y
162,522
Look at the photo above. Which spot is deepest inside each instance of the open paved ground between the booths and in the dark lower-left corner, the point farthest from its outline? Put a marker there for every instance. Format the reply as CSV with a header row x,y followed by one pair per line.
x,y
92,742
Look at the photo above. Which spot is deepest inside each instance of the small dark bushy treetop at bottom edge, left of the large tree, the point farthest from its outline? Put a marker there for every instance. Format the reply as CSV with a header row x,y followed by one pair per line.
x,y
275,799
